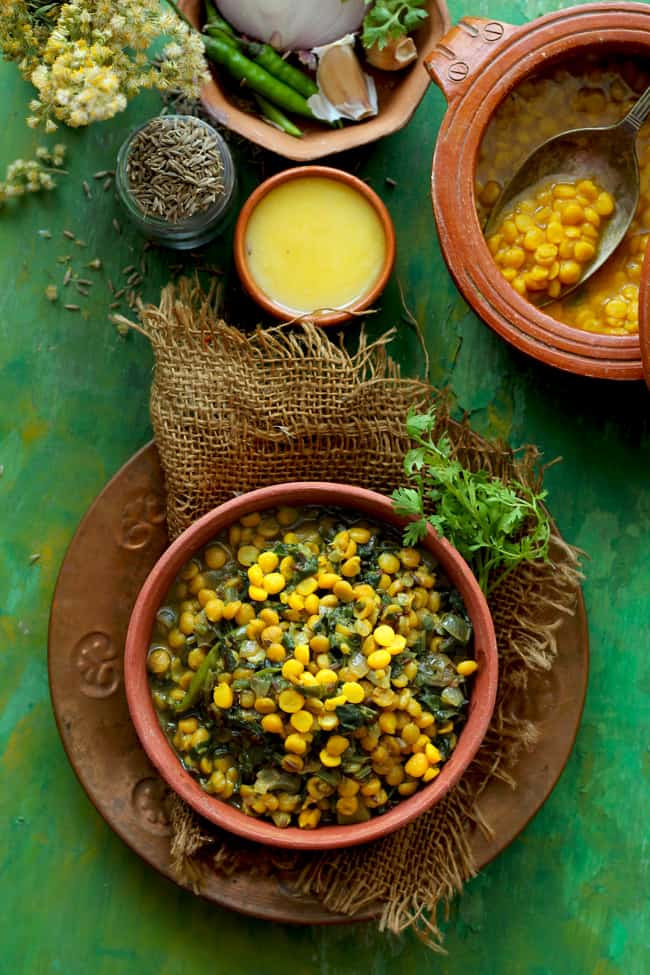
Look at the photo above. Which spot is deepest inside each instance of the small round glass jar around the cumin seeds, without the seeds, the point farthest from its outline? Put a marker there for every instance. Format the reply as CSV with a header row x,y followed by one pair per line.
x,y
192,231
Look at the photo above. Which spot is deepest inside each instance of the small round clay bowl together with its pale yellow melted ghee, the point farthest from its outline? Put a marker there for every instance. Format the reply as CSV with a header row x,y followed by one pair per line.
x,y
314,243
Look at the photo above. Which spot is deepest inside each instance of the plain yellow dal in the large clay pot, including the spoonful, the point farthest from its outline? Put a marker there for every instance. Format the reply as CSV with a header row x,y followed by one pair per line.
x,y
583,92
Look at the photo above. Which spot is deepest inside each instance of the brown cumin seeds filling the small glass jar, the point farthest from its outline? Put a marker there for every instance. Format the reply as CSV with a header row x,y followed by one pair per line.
x,y
175,168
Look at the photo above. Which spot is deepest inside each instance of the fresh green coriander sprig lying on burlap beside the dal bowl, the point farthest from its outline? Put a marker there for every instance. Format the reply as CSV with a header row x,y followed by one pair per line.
x,y
494,526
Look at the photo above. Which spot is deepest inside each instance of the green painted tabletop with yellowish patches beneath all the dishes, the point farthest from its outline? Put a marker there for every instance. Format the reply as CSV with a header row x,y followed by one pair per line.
x,y
569,897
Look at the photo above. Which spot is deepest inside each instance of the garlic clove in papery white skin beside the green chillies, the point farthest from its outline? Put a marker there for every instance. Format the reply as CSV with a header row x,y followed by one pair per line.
x,y
344,90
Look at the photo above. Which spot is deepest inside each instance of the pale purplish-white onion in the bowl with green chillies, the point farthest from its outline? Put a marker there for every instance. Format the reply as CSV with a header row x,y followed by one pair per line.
x,y
292,25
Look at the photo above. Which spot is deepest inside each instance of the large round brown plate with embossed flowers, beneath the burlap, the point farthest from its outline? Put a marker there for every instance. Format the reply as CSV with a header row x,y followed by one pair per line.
x,y
112,552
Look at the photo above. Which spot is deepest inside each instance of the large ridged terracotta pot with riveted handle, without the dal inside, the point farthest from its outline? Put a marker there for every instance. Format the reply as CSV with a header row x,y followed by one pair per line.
x,y
476,65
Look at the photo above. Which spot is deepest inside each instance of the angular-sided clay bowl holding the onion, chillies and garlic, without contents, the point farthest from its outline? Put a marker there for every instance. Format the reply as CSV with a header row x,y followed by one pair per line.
x,y
399,94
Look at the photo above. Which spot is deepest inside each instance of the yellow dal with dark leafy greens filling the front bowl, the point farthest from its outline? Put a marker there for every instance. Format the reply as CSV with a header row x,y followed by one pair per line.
x,y
309,669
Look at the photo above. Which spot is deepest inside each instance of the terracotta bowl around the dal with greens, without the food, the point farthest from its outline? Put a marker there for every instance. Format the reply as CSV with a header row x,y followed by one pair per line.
x,y
159,750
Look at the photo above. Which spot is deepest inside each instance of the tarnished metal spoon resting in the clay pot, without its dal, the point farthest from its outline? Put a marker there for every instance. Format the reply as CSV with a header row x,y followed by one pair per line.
x,y
607,154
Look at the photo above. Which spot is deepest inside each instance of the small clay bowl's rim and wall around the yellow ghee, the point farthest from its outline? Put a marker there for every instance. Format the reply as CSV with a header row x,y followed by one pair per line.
x,y
302,172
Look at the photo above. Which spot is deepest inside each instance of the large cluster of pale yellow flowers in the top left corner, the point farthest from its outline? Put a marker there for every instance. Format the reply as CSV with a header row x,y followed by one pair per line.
x,y
87,58
